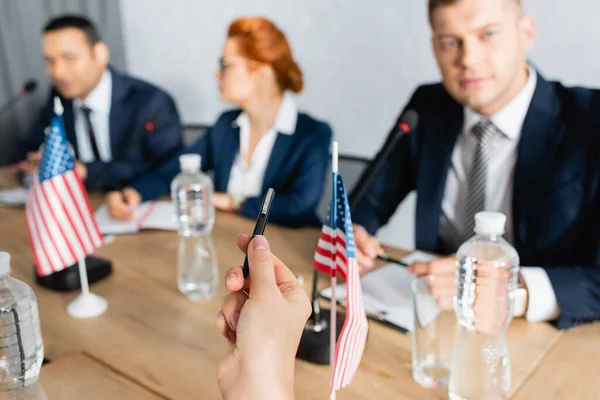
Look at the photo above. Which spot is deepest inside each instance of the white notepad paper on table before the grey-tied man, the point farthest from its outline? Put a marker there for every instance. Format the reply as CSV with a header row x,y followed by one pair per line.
x,y
387,293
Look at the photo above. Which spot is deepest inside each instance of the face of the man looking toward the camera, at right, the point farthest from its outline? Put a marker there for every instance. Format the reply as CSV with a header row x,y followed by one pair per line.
x,y
480,47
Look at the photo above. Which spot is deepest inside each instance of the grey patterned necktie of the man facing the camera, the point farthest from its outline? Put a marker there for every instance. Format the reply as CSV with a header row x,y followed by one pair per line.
x,y
485,132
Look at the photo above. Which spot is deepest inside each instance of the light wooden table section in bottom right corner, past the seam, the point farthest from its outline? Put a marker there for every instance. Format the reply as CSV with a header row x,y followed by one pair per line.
x,y
570,369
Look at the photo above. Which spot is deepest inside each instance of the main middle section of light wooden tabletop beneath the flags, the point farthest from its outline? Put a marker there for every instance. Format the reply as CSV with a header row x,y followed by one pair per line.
x,y
156,338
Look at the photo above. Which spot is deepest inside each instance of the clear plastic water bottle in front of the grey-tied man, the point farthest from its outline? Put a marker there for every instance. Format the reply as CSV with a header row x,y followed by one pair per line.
x,y
486,277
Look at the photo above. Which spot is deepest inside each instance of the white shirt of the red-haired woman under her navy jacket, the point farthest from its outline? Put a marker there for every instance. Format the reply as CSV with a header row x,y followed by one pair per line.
x,y
247,179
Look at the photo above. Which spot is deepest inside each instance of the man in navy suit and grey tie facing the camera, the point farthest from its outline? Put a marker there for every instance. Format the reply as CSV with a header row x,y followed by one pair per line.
x,y
496,136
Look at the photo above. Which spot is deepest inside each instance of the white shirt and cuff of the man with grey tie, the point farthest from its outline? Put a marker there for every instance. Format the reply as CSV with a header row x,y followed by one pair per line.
x,y
499,190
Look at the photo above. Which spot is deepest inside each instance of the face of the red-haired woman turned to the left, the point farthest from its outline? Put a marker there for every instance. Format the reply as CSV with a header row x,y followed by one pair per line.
x,y
239,78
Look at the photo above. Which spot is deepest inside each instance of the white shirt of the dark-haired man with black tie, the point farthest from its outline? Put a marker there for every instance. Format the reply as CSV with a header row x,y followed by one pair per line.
x,y
99,101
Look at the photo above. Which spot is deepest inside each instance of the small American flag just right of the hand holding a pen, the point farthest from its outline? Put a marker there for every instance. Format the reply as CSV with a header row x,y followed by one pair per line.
x,y
338,234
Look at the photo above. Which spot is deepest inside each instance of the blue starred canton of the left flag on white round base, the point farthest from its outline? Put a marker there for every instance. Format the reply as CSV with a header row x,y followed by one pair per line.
x,y
56,159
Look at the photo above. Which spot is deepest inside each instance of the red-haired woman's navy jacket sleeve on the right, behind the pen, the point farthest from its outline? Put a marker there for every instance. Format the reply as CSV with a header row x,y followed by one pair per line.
x,y
298,207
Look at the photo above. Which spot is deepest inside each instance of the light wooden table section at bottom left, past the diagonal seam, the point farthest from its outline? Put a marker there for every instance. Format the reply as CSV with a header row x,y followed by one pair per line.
x,y
78,377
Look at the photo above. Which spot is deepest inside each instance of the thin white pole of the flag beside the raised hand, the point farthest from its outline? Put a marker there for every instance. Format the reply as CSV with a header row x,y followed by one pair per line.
x,y
333,310
